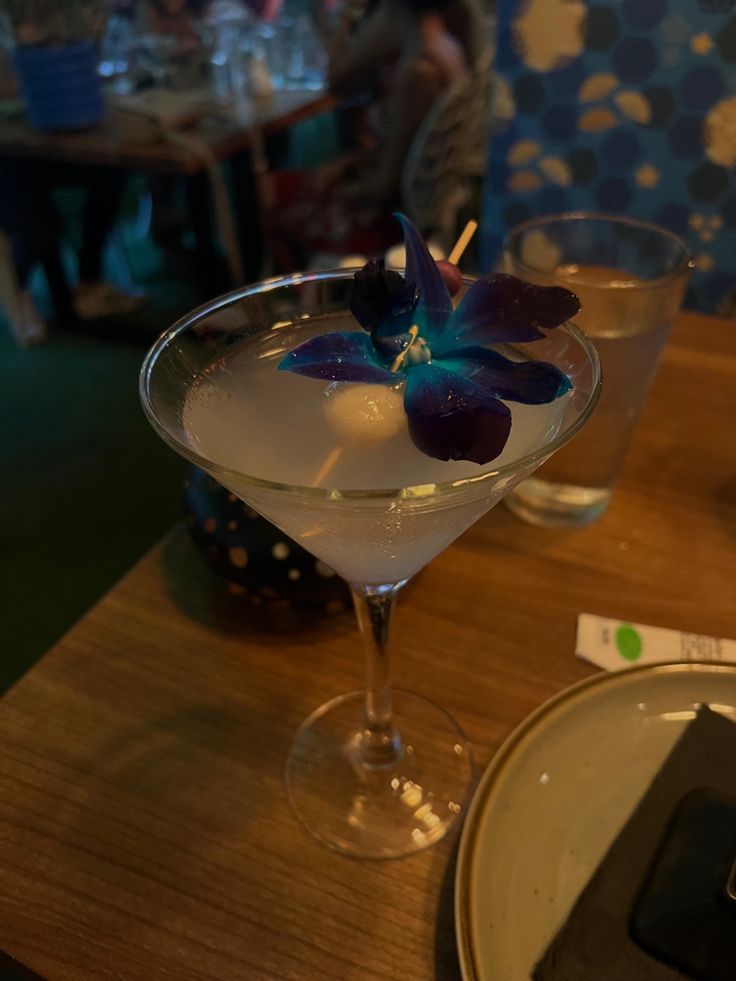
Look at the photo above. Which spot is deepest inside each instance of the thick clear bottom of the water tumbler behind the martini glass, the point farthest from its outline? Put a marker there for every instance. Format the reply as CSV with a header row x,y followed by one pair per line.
x,y
543,502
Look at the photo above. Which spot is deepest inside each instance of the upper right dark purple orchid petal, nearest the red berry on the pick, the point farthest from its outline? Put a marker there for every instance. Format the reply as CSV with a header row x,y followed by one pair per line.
x,y
500,308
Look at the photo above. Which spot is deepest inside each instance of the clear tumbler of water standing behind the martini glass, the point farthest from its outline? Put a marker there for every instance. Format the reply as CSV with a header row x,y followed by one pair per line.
x,y
630,277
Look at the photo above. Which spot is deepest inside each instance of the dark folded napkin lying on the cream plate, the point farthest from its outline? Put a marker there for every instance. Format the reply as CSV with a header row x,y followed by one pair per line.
x,y
595,943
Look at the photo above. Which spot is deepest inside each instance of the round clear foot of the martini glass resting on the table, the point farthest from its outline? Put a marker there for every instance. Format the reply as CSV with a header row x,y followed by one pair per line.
x,y
385,810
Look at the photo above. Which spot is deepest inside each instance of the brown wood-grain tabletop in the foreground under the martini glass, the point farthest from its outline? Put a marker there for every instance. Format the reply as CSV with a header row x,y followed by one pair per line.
x,y
145,834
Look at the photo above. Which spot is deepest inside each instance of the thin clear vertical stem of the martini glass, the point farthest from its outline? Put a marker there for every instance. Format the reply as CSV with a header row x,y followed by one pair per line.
x,y
374,606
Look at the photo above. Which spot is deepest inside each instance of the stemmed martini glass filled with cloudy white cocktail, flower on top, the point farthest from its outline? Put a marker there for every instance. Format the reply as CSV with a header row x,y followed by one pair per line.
x,y
373,773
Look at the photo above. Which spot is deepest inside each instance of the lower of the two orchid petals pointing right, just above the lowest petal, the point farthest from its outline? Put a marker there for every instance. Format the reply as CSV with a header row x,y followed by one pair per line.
x,y
532,382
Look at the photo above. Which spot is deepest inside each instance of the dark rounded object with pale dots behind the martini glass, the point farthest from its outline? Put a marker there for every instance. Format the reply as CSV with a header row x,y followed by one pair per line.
x,y
257,559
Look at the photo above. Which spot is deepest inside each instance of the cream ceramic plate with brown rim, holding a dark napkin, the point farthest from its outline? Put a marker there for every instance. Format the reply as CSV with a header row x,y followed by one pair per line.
x,y
554,798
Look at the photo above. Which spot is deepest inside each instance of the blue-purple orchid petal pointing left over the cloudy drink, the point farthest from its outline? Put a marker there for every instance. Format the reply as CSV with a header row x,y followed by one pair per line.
x,y
338,357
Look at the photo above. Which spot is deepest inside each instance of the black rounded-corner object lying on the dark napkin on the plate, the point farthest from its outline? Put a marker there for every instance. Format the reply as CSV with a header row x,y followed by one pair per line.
x,y
684,915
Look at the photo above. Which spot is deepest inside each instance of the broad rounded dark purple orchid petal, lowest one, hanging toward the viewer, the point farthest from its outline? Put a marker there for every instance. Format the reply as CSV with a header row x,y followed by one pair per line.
x,y
451,418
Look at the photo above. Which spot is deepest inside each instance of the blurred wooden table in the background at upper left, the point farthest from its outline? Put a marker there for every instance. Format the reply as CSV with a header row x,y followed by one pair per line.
x,y
232,134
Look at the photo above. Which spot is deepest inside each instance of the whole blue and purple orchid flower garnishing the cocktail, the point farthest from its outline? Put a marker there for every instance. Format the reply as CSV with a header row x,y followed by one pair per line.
x,y
454,382
